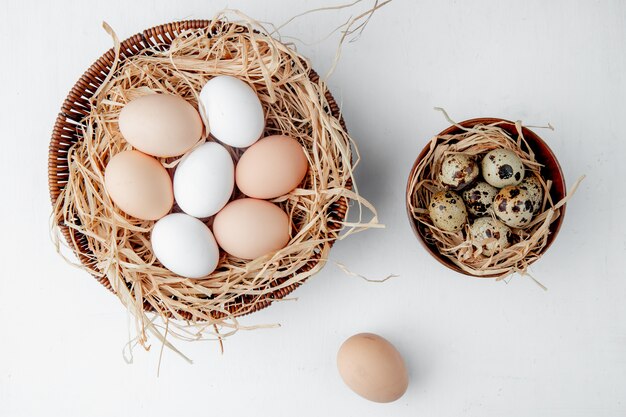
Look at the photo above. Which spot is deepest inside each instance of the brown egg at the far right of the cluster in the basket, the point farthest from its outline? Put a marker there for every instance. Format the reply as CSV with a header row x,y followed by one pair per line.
x,y
271,167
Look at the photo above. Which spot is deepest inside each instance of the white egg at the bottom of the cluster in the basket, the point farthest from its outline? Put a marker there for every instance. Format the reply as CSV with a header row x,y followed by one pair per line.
x,y
185,245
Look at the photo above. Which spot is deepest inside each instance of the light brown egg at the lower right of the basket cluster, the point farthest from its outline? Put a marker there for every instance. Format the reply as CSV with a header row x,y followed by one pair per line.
x,y
249,228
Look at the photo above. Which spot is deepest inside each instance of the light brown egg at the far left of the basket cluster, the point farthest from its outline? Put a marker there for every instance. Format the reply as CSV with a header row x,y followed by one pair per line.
x,y
139,185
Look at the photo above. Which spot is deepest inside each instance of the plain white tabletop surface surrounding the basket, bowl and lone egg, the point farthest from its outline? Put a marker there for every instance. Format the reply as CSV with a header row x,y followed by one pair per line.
x,y
474,347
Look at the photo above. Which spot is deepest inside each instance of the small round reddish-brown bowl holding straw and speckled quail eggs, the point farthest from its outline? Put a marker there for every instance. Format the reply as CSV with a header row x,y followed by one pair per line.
x,y
551,170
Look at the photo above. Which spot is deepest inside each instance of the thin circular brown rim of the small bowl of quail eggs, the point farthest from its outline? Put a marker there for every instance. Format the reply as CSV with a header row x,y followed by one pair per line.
x,y
554,228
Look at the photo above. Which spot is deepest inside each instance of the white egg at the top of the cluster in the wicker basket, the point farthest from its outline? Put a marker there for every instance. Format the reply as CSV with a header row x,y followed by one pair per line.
x,y
233,111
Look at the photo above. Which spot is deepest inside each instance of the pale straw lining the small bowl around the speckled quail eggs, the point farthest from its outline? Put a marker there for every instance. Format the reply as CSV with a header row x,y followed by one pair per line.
x,y
528,243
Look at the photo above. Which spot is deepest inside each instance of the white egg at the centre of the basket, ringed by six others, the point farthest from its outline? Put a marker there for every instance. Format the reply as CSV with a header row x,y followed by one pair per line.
x,y
204,180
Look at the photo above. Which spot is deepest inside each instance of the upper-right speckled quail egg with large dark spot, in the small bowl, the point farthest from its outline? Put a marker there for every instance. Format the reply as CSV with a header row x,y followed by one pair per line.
x,y
502,167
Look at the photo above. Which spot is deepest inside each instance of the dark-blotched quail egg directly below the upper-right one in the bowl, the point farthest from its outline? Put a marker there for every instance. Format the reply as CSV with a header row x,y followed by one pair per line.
x,y
513,206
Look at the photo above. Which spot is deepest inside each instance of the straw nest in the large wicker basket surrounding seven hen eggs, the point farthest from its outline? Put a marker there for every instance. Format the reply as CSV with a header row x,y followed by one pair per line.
x,y
116,247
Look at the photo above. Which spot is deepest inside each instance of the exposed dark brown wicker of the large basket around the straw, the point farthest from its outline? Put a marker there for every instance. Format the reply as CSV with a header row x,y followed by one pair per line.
x,y
76,106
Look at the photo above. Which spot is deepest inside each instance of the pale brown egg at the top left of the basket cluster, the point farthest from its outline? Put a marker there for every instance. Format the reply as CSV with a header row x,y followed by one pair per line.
x,y
162,125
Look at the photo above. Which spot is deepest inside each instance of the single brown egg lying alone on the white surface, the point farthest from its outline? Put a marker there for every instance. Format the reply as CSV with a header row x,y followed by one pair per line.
x,y
373,368
